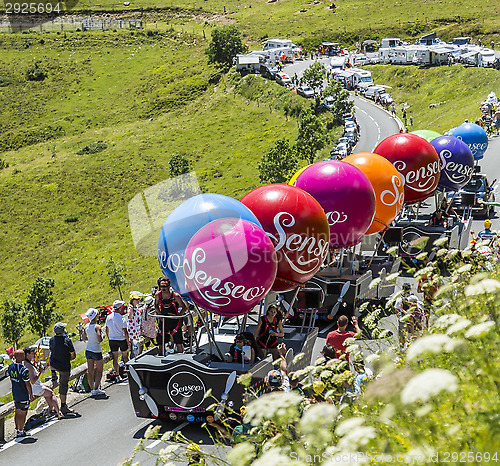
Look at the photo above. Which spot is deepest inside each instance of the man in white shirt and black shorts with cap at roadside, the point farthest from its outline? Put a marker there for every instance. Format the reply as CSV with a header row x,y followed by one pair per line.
x,y
117,333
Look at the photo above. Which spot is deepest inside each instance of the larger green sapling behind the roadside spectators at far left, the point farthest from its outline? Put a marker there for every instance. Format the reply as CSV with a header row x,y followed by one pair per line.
x,y
40,306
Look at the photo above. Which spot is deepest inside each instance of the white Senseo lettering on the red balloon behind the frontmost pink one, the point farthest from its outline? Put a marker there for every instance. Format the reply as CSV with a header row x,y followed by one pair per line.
x,y
311,251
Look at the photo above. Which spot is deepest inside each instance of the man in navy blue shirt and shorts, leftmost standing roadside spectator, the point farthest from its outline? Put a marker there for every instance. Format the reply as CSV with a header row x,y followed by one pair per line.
x,y
21,391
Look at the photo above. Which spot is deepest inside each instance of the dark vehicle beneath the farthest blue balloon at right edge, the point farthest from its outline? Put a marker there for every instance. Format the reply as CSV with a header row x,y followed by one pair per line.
x,y
478,188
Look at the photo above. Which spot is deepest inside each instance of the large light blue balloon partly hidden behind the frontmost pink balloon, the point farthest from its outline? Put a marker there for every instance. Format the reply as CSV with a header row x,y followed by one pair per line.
x,y
184,222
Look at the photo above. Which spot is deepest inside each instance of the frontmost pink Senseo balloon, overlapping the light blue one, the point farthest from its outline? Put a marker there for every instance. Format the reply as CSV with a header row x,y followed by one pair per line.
x,y
229,266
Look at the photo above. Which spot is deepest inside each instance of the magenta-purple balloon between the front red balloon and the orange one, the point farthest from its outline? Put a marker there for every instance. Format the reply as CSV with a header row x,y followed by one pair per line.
x,y
347,197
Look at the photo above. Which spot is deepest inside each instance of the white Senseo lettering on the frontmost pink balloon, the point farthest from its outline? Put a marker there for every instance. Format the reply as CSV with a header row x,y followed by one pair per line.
x,y
213,289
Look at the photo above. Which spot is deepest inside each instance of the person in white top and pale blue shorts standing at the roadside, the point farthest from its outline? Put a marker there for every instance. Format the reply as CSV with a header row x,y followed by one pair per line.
x,y
92,334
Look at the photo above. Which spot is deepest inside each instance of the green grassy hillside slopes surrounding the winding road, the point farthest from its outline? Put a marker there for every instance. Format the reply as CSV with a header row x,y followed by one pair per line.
x,y
144,95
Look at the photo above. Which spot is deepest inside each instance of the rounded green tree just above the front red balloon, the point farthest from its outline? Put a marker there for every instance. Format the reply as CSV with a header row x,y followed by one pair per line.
x,y
279,164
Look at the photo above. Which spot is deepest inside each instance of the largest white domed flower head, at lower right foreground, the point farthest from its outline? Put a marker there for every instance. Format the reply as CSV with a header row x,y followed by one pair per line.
x,y
428,383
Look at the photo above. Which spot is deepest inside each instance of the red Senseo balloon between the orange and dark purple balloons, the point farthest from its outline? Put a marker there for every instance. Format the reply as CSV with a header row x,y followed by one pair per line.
x,y
417,162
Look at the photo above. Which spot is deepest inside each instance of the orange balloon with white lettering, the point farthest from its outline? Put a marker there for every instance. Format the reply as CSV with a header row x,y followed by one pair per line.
x,y
387,184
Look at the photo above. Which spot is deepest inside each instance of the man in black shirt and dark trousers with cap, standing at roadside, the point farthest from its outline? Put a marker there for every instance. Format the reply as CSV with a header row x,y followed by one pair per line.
x,y
62,352
